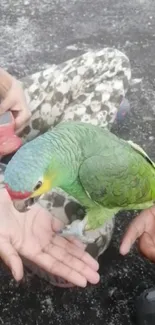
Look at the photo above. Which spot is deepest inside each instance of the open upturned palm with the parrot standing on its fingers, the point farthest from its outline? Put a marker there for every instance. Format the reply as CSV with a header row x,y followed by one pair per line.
x,y
32,235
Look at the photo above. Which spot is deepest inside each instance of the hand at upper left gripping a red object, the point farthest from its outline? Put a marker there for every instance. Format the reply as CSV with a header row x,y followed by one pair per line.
x,y
15,101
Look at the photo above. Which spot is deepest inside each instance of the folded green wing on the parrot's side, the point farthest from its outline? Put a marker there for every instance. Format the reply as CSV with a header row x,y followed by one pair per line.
x,y
115,180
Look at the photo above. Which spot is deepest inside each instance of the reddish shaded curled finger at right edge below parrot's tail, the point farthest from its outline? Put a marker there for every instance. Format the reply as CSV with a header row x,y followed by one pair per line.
x,y
147,246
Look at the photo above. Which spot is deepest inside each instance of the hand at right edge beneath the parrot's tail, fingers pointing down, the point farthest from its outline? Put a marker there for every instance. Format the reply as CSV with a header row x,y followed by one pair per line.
x,y
143,229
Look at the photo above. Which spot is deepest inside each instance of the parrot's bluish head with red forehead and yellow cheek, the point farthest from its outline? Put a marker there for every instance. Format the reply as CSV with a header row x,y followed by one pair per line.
x,y
33,171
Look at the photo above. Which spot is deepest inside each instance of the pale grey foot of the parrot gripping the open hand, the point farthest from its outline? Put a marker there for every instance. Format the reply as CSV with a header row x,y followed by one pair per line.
x,y
77,229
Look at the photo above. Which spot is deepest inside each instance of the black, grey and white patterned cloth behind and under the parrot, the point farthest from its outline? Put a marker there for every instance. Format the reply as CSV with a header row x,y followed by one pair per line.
x,y
89,88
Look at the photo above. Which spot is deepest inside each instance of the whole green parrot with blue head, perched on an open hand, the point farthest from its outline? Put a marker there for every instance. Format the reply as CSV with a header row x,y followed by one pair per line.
x,y
104,173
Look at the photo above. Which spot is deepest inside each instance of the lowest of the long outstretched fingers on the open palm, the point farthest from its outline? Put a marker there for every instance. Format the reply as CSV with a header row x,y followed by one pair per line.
x,y
57,268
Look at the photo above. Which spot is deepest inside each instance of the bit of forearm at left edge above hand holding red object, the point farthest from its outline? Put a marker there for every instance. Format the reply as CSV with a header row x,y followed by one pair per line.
x,y
5,82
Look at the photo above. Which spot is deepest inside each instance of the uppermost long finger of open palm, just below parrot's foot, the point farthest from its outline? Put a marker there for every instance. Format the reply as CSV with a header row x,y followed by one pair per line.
x,y
75,251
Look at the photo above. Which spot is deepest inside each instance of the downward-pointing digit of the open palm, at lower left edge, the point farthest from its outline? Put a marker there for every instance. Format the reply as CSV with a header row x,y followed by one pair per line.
x,y
11,259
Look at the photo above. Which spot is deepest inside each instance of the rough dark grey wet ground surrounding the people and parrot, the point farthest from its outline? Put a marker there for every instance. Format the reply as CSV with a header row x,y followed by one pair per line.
x,y
36,34
